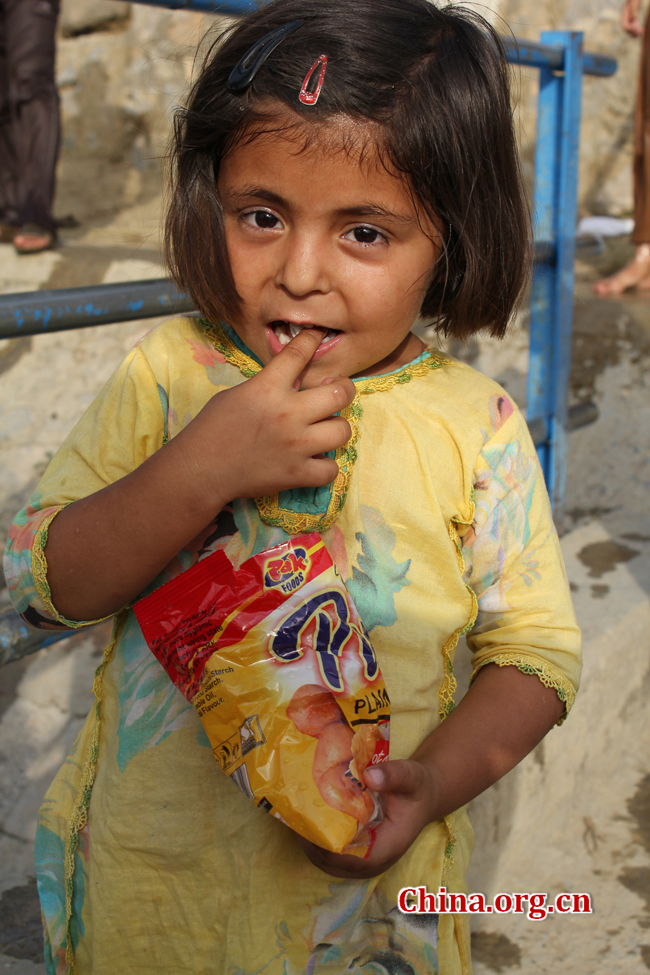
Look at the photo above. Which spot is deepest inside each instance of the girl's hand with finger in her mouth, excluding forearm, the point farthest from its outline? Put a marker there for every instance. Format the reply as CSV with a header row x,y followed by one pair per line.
x,y
267,435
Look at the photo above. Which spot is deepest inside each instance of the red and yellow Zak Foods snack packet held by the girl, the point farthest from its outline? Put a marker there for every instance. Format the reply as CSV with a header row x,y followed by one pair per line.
x,y
279,666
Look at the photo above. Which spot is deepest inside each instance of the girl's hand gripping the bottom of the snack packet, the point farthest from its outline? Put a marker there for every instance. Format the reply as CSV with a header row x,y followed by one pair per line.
x,y
412,798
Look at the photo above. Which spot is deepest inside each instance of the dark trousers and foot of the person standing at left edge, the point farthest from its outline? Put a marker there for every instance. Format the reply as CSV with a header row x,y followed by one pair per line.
x,y
32,132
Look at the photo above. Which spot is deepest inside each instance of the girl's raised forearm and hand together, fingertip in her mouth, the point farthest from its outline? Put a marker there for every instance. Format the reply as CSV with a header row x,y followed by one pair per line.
x,y
260,437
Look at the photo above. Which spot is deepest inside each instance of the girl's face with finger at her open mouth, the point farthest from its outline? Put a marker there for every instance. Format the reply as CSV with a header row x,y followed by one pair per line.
x,y
319,238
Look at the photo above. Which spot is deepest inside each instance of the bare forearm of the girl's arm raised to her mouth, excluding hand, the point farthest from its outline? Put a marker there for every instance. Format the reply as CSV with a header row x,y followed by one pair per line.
x,y
103,550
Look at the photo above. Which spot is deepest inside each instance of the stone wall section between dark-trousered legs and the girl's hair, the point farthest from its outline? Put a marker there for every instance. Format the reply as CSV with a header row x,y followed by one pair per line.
x,y
121,69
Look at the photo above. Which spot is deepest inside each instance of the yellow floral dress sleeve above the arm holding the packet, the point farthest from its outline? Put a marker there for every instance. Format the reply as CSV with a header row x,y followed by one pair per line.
x,y
514,566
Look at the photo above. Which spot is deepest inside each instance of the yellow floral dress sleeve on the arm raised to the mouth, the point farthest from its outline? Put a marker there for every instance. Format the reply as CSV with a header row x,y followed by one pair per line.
x,y
122,427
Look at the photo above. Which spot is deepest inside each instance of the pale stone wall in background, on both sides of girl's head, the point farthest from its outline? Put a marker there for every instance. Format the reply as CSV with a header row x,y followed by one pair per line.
x,y
122,67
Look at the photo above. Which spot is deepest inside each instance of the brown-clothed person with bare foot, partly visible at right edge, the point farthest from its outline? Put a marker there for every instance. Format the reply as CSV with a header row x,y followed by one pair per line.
x,y
637,272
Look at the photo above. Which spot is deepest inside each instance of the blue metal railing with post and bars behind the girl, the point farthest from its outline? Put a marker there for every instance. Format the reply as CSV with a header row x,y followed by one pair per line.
x,y
561,63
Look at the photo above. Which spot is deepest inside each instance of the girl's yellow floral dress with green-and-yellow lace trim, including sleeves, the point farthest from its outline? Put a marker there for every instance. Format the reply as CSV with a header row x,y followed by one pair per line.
x,y
149,861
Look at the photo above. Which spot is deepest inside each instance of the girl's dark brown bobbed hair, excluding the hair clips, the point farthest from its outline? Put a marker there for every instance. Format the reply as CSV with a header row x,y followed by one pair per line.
x,y
431,86
